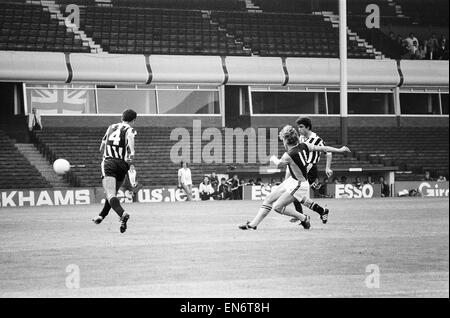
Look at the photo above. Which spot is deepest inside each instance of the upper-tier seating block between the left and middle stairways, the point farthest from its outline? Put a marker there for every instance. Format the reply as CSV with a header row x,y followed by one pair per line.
x,y
157,31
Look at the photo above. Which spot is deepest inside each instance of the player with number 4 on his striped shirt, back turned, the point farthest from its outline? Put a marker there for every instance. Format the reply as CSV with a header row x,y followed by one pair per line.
x,y
118,153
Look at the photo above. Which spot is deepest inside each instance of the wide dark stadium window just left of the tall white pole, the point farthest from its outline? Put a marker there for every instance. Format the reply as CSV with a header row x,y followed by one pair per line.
x,y
288,102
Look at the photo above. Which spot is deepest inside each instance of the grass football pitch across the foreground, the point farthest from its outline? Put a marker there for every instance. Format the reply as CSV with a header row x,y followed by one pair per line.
x,y
194,249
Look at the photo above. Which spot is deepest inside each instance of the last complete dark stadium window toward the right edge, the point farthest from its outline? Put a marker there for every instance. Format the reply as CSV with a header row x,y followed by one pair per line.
x,y
419,104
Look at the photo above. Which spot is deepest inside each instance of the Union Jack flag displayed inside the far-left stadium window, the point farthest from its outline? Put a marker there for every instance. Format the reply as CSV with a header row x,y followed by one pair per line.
x,y
60,101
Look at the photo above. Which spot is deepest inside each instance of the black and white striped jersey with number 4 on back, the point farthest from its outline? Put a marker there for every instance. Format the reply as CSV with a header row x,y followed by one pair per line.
x,y
116,141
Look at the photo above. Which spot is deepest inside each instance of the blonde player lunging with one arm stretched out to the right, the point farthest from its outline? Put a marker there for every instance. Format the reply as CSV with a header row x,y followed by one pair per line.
x,y
296,186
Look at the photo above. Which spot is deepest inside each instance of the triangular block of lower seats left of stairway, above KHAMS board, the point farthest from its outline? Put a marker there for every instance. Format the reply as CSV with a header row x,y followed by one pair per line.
x,y
16,170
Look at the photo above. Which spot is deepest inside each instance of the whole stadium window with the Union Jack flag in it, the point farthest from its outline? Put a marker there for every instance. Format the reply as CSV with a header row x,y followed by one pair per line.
x,y
61,99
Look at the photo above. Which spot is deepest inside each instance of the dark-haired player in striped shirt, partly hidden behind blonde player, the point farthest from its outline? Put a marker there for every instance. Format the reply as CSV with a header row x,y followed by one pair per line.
x,y
307,136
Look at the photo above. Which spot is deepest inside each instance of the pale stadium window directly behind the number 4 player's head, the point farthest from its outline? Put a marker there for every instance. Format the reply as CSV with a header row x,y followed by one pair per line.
x,y
113,101
